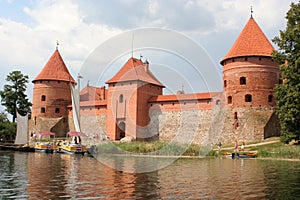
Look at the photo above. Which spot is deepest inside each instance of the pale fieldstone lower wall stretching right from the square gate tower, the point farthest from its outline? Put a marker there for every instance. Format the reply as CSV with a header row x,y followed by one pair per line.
x,y
210,126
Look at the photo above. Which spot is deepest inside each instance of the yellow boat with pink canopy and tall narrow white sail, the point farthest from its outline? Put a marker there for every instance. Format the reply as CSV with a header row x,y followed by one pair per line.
x,y
74,146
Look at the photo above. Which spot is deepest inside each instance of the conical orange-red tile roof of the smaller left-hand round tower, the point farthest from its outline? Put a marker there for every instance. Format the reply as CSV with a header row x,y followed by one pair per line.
x,y
55,69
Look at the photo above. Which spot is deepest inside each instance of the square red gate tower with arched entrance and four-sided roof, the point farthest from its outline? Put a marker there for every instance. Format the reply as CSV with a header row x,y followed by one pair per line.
x,y
127,105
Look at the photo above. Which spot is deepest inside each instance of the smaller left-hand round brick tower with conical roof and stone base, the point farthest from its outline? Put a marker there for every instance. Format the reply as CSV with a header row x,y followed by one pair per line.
x,y
51,95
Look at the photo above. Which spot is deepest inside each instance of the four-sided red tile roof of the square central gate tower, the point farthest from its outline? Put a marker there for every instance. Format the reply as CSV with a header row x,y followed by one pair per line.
x,y
132,70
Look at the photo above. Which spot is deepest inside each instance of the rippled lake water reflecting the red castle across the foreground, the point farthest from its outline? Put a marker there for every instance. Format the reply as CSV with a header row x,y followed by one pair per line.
x,y
61,176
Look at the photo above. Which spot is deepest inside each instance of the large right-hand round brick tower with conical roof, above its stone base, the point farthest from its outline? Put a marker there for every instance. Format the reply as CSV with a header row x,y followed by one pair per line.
x,y
250,74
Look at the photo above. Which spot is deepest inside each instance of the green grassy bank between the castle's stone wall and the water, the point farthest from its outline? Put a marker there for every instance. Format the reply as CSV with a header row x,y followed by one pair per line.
x,y
274,150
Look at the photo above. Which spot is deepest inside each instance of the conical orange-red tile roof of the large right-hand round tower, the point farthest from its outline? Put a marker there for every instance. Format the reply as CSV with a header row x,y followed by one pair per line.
x,y
251,42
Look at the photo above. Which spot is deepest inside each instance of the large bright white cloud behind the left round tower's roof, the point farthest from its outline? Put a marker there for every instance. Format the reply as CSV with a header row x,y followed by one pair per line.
x,y
27,47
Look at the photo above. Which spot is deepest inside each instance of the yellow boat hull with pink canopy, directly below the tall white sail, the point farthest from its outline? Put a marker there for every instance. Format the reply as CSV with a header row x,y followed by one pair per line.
x,y
75,146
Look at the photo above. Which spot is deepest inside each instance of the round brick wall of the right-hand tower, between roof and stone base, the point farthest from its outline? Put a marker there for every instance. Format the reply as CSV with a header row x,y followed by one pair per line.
x,y
250,81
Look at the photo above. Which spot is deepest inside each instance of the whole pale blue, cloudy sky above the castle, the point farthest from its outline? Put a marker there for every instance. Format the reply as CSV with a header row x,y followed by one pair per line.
x,y
86,29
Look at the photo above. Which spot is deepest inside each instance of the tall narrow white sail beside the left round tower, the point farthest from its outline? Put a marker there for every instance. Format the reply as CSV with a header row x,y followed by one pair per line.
x,y
76,107
